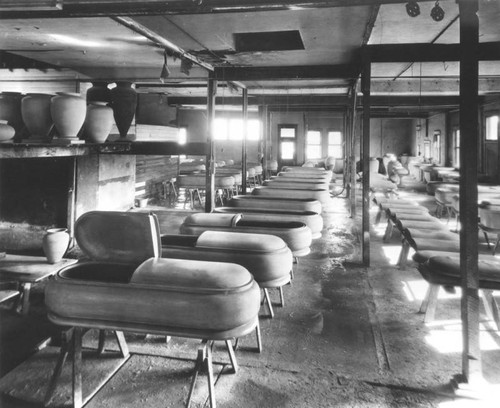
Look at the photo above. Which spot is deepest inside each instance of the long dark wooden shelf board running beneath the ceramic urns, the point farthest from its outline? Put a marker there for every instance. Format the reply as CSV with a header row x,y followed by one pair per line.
x,y
28,150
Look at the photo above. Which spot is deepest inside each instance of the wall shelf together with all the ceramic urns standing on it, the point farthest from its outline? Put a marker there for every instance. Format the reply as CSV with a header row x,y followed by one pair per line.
x,y
46,125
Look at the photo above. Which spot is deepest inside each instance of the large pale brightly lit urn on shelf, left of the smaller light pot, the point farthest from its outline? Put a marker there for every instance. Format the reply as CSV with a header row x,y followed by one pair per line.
x,y
68,112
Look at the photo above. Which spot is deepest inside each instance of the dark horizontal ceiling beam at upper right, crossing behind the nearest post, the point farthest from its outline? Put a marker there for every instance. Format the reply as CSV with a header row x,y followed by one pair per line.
x,y
425,52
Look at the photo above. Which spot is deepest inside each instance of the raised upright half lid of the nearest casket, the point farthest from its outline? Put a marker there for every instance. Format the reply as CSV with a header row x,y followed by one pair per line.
x,y
115,236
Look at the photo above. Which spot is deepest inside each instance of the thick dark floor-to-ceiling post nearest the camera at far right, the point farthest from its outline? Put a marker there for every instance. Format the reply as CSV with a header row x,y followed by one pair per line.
x,y
469,130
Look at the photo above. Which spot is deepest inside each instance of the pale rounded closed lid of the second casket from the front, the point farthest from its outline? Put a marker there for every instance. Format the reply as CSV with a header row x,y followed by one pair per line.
x,y
240,240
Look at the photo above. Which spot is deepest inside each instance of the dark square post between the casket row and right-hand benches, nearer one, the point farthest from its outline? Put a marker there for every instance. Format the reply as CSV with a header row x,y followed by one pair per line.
x,y
365,160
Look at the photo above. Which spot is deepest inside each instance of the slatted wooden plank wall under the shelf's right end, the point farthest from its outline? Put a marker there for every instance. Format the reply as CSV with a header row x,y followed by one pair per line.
x,y
152,171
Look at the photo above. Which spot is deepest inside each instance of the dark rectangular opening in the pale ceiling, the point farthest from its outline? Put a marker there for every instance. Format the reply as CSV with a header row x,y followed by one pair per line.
x,y
268,41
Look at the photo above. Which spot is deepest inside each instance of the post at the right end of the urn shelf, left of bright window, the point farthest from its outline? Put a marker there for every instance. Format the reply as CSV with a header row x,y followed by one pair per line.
x,y
210,162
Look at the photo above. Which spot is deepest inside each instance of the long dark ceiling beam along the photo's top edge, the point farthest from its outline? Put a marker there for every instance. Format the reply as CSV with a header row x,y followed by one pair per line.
x,y
99,8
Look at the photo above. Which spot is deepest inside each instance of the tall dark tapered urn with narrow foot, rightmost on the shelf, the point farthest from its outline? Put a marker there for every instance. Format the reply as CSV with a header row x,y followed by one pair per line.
x,y
124,104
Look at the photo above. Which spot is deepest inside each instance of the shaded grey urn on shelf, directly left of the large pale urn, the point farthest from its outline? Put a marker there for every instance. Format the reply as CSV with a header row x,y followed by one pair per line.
x,y
35,110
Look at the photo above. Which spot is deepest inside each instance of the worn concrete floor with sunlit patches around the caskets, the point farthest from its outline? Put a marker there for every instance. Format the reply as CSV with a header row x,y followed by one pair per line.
x,y
348,336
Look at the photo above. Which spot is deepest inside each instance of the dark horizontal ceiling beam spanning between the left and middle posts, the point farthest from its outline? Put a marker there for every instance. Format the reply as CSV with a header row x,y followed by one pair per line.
x,y
344,71
